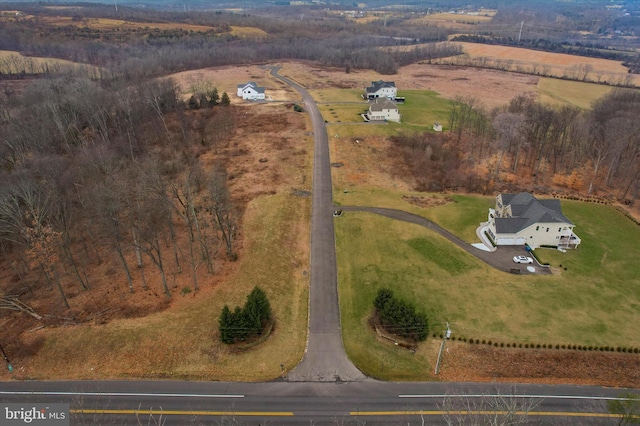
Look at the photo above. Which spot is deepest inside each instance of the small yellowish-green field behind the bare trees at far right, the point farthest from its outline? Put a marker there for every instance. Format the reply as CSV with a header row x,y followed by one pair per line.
x,y
563,92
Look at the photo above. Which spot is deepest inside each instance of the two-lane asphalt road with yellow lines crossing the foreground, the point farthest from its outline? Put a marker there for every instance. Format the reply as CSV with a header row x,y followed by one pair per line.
x,y
276,403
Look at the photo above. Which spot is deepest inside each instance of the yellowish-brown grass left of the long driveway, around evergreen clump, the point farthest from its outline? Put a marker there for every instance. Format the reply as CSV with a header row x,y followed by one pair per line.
x,y
154,346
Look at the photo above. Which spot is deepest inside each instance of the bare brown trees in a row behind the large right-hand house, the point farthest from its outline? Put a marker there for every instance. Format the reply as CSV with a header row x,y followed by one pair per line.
x,y
527,143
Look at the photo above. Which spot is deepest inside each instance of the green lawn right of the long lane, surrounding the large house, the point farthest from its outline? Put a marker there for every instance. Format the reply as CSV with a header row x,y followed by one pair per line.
x,y
594,301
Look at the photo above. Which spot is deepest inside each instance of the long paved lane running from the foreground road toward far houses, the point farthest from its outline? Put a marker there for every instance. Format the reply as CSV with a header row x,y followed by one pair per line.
x,y
325,358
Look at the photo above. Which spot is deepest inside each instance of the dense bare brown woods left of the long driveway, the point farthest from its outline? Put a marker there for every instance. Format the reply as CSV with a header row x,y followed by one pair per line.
x,y
87,167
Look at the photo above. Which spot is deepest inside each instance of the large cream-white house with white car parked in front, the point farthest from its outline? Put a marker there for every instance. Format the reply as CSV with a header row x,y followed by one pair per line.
x,y
520,219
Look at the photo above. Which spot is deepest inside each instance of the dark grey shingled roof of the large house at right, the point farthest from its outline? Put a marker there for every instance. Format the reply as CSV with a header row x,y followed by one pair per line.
x,y
526,210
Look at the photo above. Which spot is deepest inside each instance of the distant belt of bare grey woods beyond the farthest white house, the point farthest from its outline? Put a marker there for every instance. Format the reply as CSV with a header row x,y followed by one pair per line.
x,y
143,53
